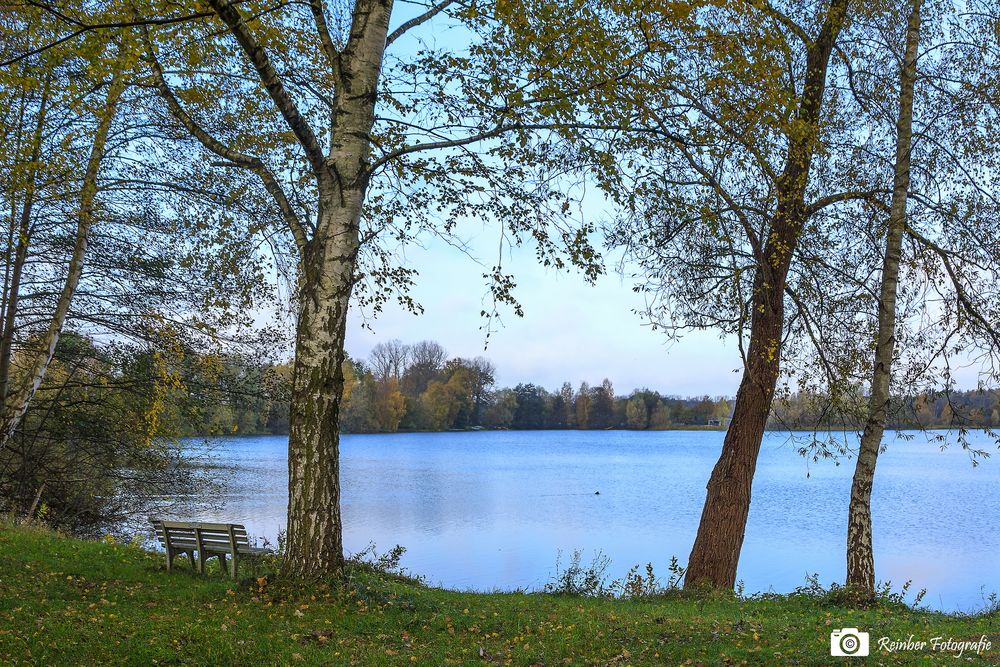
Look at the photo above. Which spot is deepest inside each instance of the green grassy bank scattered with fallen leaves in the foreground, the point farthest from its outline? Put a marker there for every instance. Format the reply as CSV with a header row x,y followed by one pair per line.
x,y
65,601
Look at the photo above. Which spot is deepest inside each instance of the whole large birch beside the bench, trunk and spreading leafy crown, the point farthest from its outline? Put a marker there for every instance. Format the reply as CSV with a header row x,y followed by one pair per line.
x,y
358,150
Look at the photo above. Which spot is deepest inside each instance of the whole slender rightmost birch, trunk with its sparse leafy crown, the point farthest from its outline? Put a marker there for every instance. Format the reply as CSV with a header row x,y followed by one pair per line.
x,y
934,302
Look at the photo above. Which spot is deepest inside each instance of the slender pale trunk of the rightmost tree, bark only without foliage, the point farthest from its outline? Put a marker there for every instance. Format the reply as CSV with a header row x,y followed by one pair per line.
x,y
860,556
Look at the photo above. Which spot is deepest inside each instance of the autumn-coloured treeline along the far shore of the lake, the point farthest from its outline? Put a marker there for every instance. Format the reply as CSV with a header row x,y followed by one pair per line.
x,y
419,388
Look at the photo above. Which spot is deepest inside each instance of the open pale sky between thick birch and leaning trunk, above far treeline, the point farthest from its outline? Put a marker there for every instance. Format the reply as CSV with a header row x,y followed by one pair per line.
x,y
570,331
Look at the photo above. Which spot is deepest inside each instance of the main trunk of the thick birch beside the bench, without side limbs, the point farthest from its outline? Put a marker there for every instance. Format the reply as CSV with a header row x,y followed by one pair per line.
x,y
315,532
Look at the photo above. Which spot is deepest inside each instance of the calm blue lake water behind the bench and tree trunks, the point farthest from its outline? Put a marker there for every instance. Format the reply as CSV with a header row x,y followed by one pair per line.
x,y
491,510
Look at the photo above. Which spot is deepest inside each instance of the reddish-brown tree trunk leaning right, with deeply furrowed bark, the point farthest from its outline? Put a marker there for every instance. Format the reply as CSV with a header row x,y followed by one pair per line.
x,y
716,551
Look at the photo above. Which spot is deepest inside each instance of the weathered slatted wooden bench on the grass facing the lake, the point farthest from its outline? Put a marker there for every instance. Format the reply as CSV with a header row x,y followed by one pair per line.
x,y
208,539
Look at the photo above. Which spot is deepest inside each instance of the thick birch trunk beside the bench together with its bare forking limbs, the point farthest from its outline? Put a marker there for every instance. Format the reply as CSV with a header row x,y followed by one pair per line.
x,y
328,260
